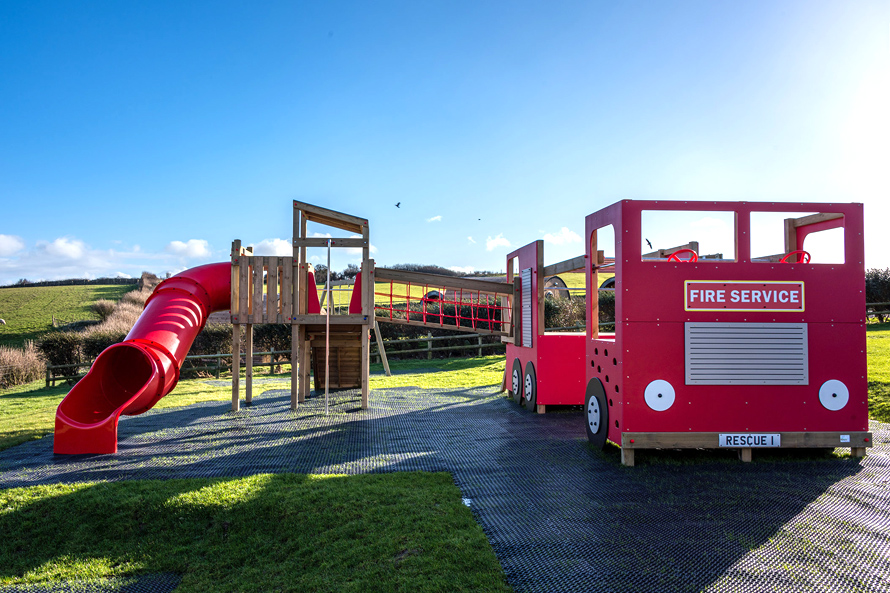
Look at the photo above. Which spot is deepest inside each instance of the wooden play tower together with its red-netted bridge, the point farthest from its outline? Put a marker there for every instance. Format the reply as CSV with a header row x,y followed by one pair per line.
x,y
332,337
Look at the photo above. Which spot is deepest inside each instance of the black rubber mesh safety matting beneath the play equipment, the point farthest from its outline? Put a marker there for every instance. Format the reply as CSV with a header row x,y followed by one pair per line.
x,y
560,515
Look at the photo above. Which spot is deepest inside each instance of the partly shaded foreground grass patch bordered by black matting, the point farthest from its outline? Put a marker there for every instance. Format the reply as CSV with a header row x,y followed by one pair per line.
x,y
285,532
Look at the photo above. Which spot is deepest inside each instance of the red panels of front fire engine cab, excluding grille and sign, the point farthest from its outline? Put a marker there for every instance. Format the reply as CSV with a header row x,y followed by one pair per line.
x,y
651,311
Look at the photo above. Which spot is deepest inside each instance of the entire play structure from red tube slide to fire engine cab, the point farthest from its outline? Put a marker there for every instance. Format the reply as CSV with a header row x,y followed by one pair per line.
x,y
745,351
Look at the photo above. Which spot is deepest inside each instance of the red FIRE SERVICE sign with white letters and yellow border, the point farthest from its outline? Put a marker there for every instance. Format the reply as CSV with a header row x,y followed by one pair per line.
x,y
743,295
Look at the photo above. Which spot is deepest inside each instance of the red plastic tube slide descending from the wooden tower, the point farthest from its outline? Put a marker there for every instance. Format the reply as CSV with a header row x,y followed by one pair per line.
x,y
130,377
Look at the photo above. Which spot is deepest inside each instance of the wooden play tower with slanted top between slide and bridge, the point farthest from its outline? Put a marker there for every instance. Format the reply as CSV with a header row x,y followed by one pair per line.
x,y
274,289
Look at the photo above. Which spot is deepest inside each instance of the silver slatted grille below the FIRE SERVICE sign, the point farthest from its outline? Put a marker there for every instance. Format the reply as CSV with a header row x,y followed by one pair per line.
x,y
746,354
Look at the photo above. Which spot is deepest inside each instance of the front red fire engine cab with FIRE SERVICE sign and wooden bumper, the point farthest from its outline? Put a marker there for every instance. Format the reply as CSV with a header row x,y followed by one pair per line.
x,y
745,350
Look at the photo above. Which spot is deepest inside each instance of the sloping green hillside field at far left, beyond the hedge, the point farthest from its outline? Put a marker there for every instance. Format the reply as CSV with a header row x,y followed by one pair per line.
x,y
28,311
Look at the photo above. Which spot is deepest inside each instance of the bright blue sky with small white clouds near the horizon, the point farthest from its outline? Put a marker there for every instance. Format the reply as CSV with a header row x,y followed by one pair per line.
x,y
148,136
